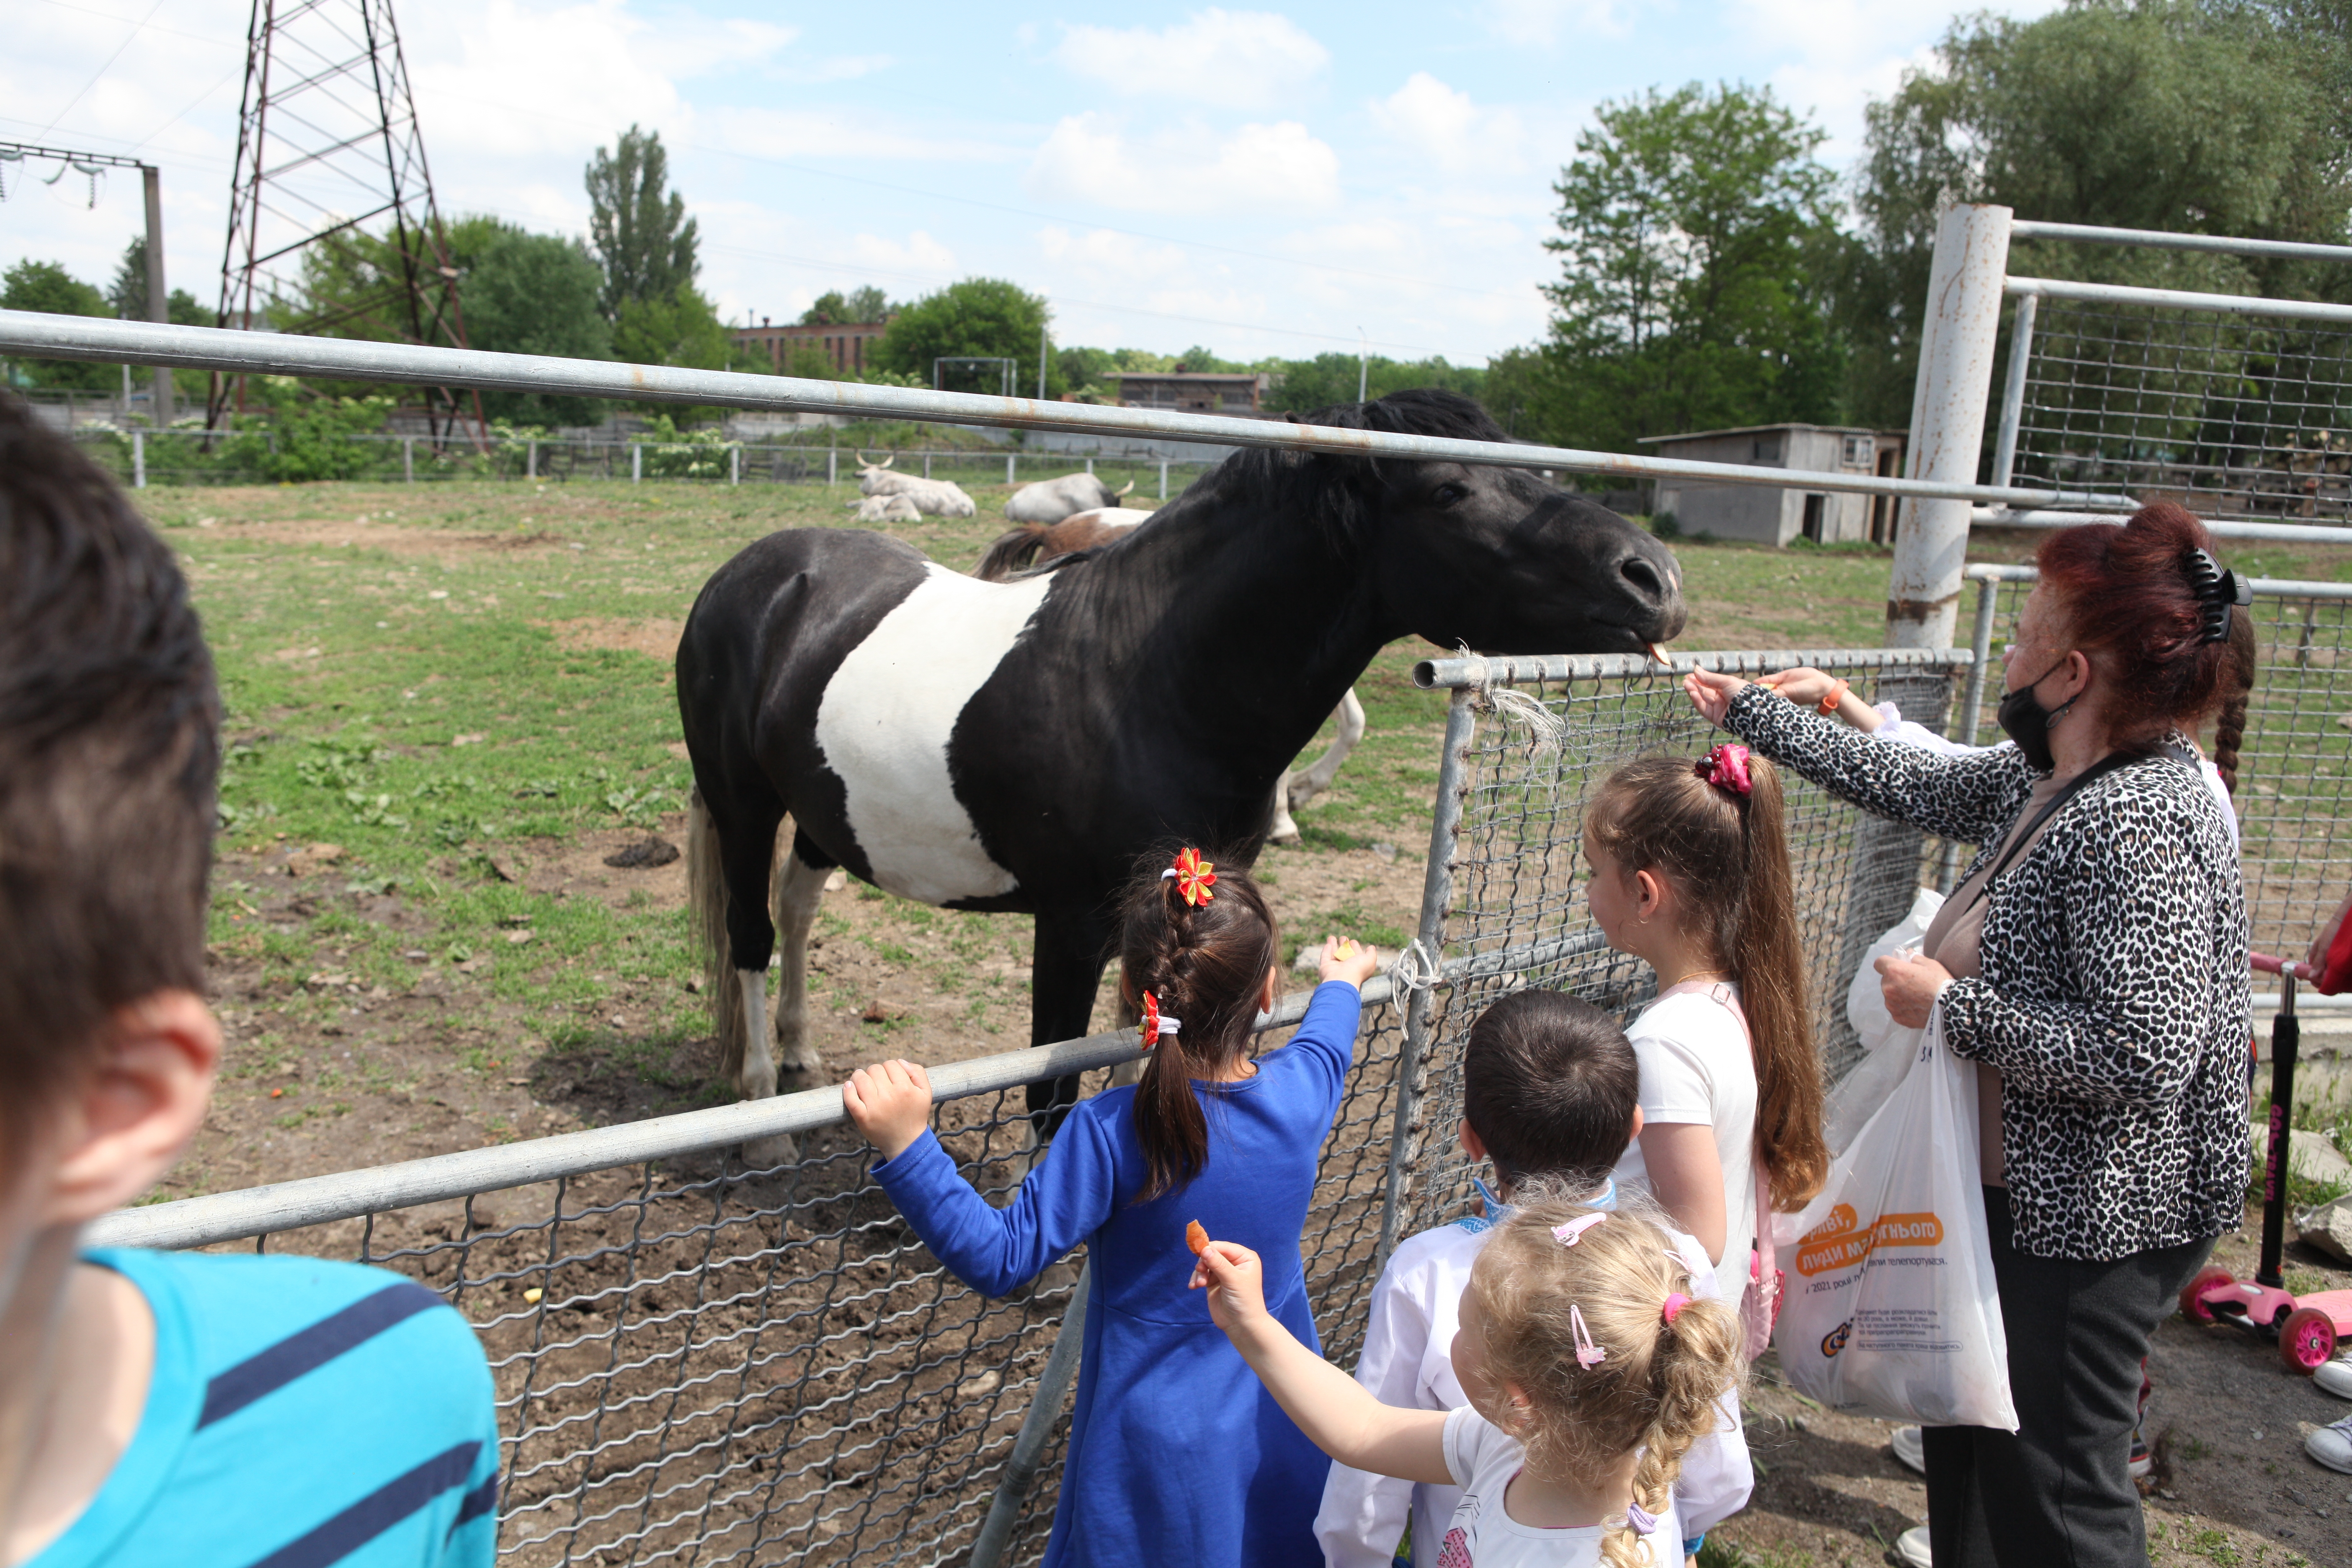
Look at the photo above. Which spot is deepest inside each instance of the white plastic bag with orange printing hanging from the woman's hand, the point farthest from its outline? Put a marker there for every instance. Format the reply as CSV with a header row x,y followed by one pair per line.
x,y
1890,1306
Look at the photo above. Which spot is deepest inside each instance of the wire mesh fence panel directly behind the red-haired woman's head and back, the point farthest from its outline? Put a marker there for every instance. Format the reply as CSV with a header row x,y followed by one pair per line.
x,y
2294,758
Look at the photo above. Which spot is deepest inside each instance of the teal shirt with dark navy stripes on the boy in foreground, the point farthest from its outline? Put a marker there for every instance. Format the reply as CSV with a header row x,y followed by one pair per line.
x,y
302,1414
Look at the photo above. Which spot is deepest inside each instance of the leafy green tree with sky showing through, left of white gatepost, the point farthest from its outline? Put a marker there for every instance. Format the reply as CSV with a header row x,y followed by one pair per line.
x,y
1692,234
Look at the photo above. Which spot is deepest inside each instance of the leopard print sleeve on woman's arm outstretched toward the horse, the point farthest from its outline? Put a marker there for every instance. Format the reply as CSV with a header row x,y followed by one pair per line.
x,y
1970,798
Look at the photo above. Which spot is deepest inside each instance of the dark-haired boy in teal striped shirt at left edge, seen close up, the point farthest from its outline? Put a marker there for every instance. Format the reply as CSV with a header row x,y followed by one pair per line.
x,y
159,1407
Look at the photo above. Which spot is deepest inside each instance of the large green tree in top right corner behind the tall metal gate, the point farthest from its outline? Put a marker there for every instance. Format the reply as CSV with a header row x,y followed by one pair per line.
x,y
2193,119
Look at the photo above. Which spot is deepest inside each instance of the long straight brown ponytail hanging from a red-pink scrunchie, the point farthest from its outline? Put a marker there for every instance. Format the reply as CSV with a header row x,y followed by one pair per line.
x,y
1770,967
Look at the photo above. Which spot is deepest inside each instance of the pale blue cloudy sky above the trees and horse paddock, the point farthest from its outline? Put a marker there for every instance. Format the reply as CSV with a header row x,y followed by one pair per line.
x,y
1168,175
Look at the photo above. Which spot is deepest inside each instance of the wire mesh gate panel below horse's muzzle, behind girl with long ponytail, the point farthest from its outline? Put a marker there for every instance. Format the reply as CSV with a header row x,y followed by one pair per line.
x,y
1518,904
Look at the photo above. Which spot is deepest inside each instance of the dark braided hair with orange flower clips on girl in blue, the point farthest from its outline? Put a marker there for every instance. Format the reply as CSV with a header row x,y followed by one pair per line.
x,y
1205,967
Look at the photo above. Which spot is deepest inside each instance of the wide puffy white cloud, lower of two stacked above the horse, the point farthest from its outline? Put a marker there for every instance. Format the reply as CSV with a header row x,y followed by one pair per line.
x,y
1187,168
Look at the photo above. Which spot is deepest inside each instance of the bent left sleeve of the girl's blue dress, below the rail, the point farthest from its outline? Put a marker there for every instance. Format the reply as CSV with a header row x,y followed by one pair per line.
x,y
1001,1249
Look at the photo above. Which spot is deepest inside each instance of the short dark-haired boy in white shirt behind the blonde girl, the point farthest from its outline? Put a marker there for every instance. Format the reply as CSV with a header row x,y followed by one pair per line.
x,y
1551,1097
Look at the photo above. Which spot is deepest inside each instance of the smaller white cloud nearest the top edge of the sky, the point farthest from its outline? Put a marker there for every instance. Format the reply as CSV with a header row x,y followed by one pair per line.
x,y
1217,60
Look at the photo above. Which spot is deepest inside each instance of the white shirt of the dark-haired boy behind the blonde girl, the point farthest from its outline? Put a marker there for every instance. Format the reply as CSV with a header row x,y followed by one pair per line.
x,y
1408,1362
